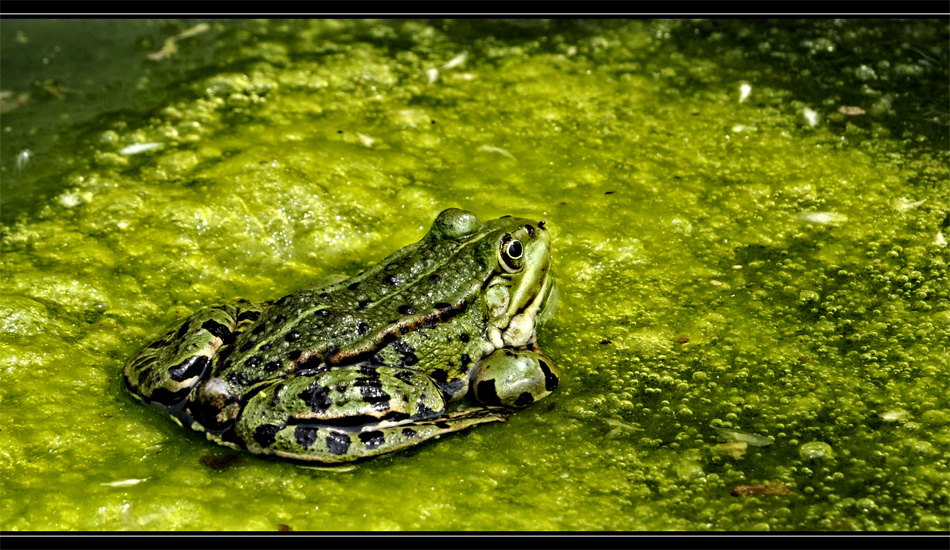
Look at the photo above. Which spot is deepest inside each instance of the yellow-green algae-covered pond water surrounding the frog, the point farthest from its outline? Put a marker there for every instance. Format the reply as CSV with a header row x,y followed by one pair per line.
x,y
749,222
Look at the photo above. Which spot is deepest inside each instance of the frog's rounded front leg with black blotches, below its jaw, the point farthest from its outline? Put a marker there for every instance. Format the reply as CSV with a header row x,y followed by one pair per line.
x,y
514,377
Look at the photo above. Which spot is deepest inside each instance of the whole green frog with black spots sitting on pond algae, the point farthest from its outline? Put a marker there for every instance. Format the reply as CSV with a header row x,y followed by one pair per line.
x,y
436,338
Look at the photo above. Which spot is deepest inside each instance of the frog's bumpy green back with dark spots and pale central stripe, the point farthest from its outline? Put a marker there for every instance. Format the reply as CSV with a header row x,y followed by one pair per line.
x,y
419,286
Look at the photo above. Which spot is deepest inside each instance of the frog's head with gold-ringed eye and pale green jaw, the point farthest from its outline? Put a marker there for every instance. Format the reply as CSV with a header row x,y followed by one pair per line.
x,y
516,255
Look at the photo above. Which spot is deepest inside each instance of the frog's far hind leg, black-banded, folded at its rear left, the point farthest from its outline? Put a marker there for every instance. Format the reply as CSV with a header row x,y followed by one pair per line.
x,y
165,372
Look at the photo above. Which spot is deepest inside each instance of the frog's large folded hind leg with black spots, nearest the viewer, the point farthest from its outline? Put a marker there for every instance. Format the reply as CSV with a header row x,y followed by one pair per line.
x,y
348,413
